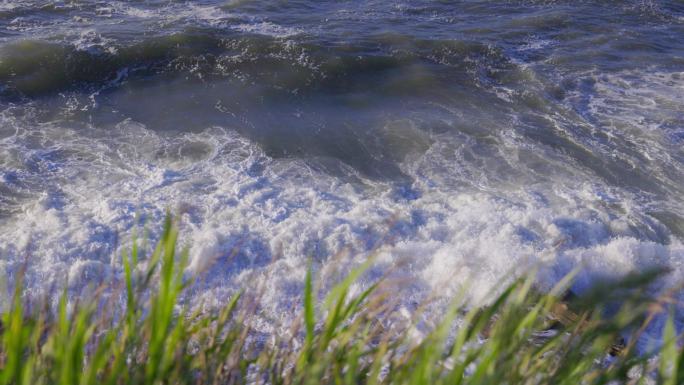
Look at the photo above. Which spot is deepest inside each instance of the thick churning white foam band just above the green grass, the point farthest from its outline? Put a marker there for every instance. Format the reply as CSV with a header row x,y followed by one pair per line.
x,y
251,219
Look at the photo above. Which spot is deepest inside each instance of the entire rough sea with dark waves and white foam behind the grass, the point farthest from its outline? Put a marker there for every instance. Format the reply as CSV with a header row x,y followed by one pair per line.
x,y
458,142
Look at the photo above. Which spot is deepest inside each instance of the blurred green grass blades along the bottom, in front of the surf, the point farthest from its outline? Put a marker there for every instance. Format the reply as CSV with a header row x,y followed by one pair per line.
x,y
523,336
